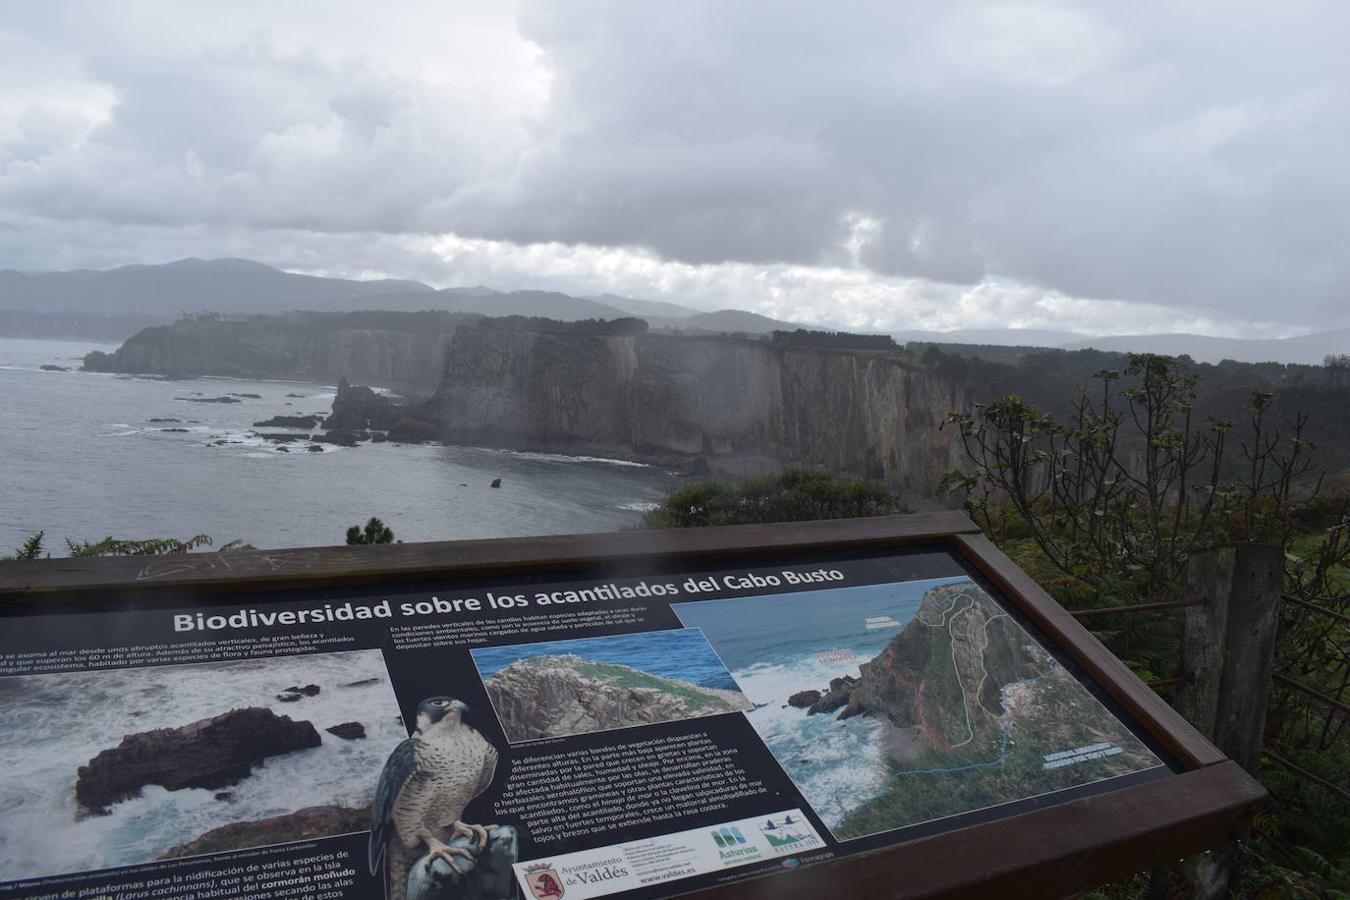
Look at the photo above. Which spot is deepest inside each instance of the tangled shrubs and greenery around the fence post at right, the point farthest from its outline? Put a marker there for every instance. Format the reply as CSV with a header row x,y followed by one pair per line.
x,y
1106,508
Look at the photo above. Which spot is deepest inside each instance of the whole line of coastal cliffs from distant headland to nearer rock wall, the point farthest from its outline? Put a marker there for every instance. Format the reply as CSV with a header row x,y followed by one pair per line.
x,y
745,407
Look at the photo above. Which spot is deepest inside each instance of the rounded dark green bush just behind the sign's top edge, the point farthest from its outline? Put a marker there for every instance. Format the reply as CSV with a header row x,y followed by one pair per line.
x,y
796,496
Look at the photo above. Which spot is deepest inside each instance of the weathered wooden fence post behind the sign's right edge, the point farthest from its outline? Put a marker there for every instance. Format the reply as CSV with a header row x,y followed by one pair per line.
x,y
1228,660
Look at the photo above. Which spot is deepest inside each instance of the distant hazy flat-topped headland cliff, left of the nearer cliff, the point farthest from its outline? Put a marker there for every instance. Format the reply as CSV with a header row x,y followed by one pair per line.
x,y
392,350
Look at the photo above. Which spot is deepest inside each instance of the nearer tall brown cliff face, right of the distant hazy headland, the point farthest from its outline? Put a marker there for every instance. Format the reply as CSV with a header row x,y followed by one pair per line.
x,y
749,405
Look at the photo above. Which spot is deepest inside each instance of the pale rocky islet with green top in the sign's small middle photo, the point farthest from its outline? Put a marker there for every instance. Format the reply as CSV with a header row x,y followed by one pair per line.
x,y
554,696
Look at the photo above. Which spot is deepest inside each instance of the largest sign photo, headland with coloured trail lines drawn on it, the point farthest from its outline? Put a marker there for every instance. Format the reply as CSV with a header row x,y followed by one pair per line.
x,y
901,704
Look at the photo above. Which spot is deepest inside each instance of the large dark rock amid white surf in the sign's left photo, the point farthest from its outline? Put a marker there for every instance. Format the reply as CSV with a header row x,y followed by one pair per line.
x,y
211,754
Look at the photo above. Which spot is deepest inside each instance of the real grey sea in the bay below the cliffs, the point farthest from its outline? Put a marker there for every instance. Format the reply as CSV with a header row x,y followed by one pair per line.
x,y
82,459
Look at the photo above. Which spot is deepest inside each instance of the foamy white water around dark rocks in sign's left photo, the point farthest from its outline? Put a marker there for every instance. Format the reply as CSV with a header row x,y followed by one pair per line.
x,y
51,725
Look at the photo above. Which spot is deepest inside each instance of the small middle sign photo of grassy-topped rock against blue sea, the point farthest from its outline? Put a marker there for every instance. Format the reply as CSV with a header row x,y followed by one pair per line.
x,y
595,685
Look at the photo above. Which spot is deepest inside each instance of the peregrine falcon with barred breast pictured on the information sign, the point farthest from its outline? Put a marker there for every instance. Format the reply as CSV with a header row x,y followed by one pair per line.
x,y
423,791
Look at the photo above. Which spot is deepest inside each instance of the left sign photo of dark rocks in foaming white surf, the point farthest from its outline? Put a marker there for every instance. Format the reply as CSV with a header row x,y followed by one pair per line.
x,y
125,767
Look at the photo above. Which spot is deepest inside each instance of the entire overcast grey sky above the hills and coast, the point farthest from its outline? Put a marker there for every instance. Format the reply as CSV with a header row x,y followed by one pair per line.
x,y
1086,167
